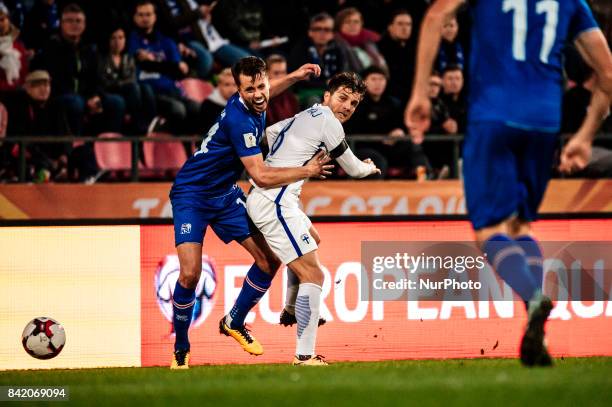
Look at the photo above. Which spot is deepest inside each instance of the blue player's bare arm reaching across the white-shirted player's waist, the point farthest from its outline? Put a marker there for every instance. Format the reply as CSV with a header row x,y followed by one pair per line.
x,y
270,177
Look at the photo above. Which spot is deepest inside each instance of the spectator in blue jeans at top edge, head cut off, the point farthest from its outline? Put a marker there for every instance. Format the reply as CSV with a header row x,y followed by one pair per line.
x,y
192,24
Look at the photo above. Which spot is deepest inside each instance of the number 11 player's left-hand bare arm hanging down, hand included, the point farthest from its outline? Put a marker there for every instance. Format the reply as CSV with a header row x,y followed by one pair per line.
x,y
417,113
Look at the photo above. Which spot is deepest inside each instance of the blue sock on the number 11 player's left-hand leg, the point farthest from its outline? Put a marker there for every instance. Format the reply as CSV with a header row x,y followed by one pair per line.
x,y
510,262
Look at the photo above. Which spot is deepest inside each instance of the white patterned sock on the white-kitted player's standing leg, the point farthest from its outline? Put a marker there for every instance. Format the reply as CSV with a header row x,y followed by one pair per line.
x,y
307,306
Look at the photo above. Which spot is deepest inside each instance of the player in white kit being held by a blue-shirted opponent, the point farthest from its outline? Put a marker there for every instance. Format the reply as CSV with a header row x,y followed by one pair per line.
x,y
276,213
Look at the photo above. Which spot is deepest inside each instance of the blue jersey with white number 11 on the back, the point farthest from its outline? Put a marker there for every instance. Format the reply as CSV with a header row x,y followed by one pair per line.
x,y
516,59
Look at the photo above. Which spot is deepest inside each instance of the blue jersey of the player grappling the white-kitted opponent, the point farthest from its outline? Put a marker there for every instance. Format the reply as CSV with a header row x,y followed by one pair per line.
x,y
215,167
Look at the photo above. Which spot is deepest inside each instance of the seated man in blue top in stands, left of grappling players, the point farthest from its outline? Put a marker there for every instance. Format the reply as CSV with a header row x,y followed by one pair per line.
x,y
159,64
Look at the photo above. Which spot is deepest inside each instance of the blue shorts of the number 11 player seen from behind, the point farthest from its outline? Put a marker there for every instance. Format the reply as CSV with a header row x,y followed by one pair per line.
x,y
506,171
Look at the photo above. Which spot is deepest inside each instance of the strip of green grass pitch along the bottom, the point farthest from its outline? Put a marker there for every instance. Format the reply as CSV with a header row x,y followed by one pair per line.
x,y
488,382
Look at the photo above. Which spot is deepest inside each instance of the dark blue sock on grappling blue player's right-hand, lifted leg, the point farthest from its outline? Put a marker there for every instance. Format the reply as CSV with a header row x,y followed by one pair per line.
x,y
255,285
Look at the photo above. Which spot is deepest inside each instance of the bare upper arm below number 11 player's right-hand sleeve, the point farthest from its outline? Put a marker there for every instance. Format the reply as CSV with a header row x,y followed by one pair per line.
x,y
594,49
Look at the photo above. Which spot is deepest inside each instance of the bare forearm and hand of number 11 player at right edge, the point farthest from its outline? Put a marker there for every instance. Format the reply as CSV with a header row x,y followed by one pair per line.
x,y
577,152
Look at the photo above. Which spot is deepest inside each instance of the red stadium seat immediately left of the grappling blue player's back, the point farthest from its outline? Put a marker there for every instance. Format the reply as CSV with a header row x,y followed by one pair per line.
x,y
163,156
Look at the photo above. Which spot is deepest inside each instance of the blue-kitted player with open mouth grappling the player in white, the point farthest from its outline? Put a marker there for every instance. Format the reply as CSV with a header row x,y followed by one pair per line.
x,y
205,194
